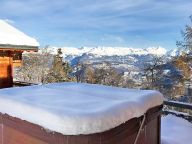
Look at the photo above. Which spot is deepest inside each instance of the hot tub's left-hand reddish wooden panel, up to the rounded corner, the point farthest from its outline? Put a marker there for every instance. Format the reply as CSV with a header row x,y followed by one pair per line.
x,y
14,127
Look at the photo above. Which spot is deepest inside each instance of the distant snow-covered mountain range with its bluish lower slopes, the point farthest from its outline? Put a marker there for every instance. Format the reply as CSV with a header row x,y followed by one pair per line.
x,y
129,61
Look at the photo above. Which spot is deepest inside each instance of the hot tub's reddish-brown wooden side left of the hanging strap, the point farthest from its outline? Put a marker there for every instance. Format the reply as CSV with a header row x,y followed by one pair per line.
x,y
16,131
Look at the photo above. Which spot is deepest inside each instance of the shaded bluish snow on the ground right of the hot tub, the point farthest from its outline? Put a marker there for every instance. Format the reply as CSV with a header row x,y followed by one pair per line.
x,y
175,130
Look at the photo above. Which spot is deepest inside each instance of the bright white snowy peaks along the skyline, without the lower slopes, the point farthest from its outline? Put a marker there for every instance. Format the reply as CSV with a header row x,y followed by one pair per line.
x,y
111,51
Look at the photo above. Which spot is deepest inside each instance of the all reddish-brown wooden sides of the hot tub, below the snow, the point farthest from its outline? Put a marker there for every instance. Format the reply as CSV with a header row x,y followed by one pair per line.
x,y
16,131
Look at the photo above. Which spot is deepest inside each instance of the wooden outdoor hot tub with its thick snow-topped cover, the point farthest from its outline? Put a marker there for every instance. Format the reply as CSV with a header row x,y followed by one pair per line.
x,y
79,113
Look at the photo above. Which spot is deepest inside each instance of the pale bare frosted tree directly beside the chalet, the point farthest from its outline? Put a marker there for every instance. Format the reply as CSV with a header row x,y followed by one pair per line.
x,y
35,66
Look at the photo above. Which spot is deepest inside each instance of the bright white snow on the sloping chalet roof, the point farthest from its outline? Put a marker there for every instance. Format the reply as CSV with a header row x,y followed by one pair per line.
x,y
12,36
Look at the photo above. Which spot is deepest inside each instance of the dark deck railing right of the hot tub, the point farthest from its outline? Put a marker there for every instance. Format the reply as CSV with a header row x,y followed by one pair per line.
x,y
179,109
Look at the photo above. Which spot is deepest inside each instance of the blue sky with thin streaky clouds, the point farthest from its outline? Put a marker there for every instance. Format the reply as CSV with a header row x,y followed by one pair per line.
x,y
130,23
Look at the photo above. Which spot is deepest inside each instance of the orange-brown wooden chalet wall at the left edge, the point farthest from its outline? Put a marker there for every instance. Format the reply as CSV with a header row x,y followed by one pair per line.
x,y
6,66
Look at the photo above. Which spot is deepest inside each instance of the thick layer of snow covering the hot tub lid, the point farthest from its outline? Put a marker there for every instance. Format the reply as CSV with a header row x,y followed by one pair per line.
x,y
77,108
